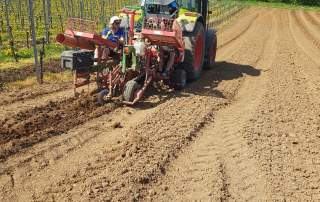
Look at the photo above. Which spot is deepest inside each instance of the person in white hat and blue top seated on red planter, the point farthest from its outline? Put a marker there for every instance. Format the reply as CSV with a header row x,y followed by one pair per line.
x,y
113,33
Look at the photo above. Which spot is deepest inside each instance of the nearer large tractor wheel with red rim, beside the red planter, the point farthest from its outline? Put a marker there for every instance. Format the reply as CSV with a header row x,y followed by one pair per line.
x,y
194,52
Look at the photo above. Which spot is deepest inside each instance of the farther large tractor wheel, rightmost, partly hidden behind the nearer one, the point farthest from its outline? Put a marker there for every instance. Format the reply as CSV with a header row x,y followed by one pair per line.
x,y
211,48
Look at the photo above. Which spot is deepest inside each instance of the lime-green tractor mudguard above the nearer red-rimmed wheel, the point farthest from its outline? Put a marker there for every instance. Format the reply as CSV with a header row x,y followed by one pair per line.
x,y
187,20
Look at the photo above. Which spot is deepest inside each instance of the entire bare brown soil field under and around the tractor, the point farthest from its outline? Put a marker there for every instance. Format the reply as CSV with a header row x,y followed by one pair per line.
x,y
248,131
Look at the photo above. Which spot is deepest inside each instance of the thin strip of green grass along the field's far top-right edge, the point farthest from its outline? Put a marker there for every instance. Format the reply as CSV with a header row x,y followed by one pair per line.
x,y
280,5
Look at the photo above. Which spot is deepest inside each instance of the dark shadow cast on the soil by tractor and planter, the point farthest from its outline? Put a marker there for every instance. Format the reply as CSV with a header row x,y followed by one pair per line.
x,y
206,86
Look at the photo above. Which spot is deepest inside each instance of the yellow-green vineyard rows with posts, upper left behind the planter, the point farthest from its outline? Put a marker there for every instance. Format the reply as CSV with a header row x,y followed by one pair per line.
x,y
50,16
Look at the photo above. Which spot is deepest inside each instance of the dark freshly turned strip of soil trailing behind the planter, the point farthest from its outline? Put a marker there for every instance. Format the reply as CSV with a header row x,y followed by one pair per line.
x,y
37,124
